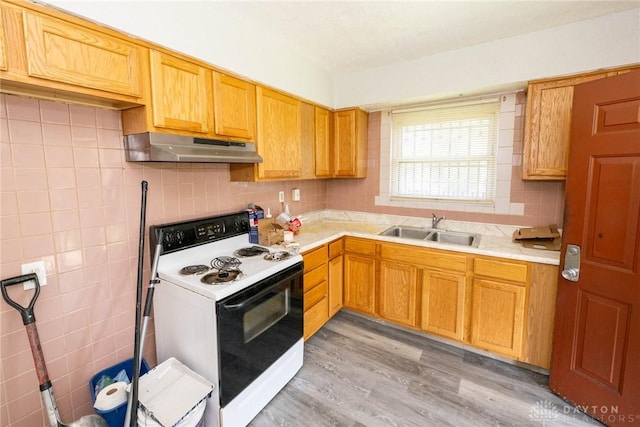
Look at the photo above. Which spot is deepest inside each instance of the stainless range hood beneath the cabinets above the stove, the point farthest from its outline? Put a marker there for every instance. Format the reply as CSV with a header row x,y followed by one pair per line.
x,y
160,147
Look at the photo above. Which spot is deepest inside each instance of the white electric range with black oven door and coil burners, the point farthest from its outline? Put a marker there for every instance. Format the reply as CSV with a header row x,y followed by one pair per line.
x,y
230,310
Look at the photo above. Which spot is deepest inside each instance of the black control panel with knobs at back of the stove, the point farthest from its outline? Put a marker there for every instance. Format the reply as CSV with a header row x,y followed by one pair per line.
x,y
182,235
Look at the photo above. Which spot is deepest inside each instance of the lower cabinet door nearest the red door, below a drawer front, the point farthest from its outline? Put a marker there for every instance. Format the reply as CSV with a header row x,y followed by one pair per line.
x,y
497,320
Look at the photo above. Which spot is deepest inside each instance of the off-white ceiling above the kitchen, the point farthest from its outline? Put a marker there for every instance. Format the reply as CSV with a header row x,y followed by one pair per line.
x,y
347,36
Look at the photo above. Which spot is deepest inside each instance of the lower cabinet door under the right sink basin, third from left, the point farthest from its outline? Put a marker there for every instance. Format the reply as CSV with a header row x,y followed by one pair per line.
x,y
443,297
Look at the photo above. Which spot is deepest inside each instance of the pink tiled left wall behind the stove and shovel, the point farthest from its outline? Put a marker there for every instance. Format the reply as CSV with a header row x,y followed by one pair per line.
x,y
69,198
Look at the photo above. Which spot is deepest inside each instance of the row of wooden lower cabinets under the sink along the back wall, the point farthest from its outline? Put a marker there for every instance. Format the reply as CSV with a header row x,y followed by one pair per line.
x,y
500,305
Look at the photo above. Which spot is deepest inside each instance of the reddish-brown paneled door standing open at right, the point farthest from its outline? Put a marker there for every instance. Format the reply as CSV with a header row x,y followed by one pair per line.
x,y
596,354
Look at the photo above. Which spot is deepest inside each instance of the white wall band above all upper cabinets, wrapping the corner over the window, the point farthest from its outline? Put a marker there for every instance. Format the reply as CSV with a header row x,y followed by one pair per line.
x,y
212,32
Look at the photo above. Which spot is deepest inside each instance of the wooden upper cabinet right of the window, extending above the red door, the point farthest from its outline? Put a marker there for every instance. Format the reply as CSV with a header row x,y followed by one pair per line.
x,y
548,125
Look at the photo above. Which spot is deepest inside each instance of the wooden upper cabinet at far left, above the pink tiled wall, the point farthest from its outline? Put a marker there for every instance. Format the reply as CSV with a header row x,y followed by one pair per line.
x,y
44,55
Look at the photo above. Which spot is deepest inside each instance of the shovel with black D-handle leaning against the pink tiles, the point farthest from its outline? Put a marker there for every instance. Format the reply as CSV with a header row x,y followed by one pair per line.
x,y
46,389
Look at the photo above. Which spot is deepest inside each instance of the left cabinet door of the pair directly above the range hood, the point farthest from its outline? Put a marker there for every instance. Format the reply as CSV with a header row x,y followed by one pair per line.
x,y
180,94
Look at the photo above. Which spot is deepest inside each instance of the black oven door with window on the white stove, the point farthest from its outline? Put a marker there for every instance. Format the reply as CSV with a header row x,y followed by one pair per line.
x,y
255,327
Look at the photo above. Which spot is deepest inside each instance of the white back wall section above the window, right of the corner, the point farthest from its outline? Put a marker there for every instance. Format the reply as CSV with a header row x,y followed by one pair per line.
x,y
607,41
